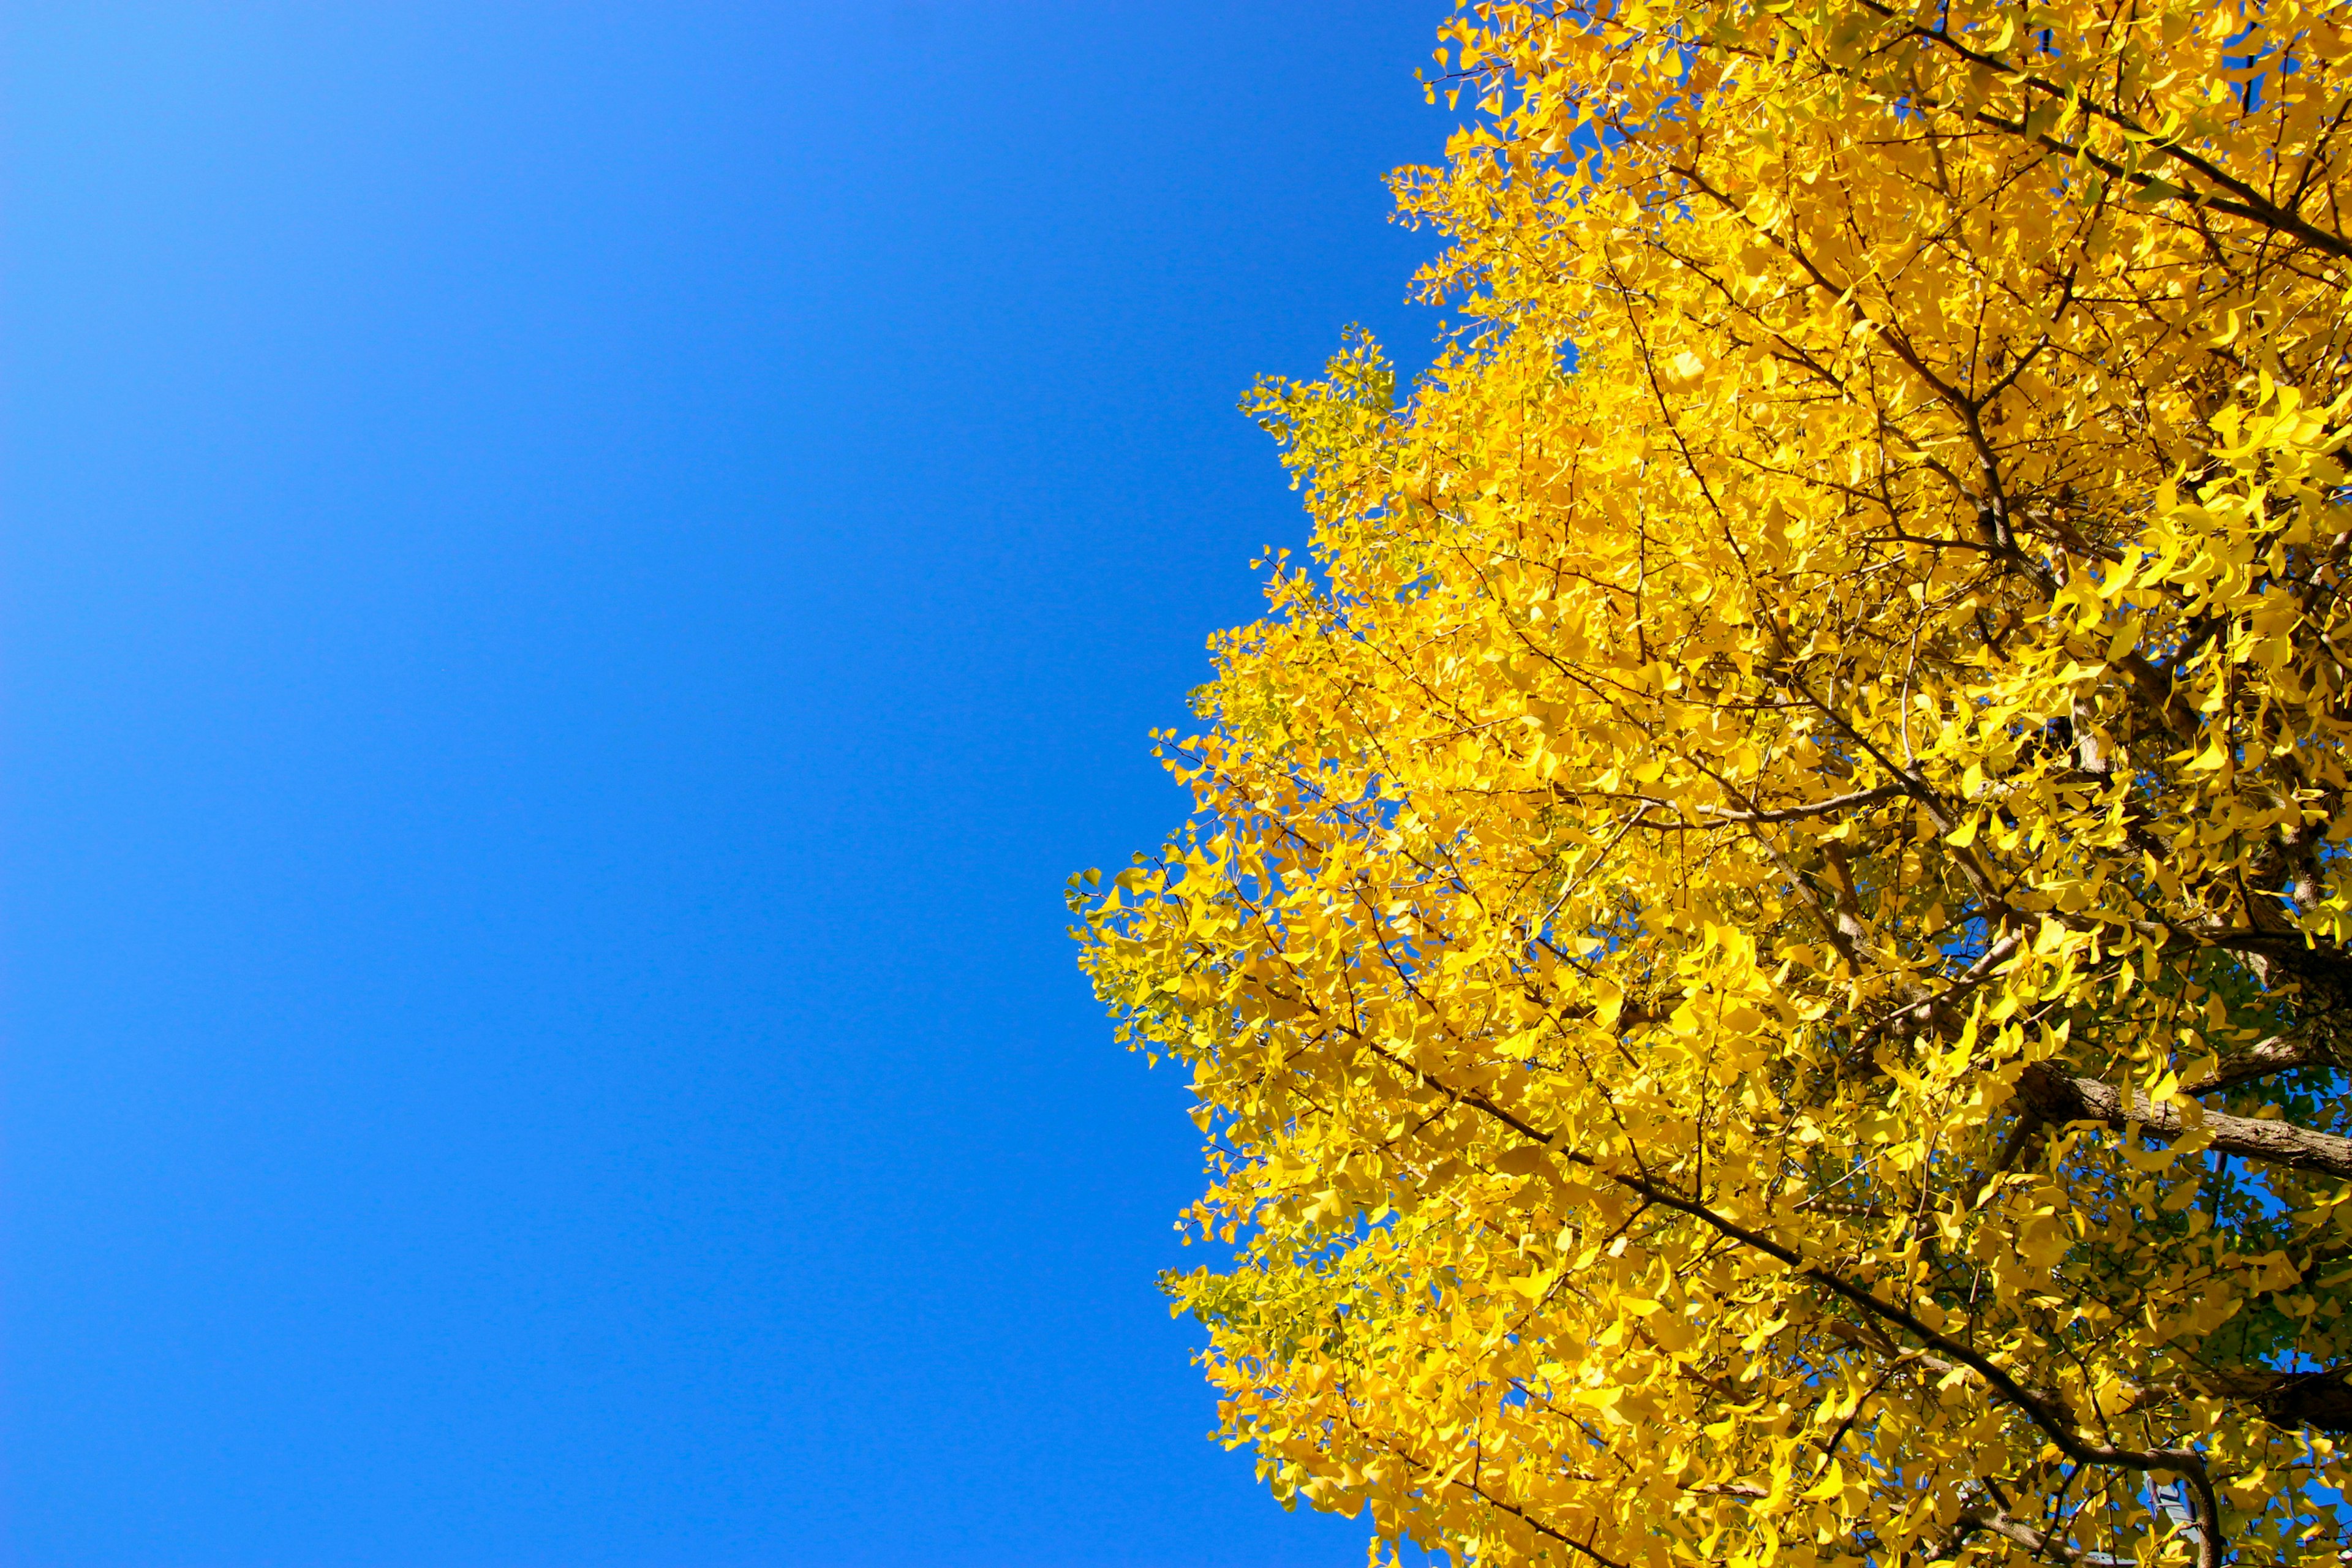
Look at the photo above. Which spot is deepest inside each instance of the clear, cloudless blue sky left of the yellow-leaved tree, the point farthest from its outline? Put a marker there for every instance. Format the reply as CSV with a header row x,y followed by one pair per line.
x,y
575,582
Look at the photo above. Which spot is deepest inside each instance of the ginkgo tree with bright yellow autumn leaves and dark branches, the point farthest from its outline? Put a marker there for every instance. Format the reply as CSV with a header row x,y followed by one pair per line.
x,y
1763,942
